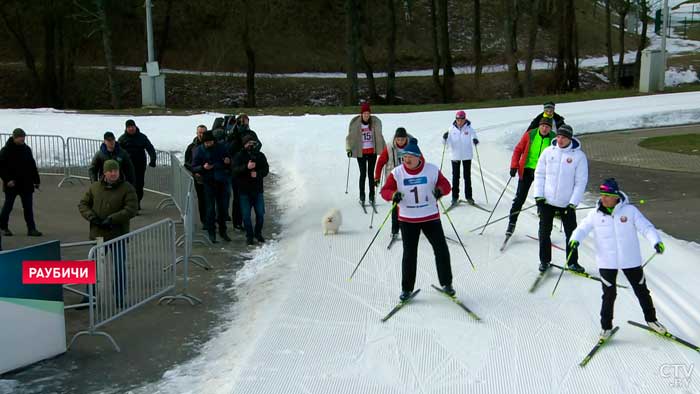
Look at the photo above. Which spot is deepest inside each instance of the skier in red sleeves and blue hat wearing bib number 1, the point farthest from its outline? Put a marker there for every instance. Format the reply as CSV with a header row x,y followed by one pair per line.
x,y
415,187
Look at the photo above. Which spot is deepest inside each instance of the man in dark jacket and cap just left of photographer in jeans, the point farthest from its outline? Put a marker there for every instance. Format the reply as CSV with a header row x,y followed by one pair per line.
x,y
213,163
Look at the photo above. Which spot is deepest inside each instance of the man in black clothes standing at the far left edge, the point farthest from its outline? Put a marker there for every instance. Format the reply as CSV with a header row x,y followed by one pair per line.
x,y
20,177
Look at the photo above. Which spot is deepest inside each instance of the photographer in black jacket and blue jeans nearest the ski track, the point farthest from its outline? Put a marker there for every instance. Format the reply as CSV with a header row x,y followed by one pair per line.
x,y
249,168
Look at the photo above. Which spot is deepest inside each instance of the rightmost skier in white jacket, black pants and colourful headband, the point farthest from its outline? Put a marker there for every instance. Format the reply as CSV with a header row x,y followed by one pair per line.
x,y
615,224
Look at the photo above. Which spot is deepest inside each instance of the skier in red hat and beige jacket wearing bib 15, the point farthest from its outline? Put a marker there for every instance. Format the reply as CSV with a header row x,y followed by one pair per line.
x,y
364,141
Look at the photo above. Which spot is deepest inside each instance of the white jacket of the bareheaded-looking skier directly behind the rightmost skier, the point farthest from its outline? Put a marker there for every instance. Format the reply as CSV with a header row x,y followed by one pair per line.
x,y
561,174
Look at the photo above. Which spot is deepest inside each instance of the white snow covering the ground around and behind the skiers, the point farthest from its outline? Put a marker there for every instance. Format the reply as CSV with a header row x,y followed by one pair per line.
x,y
301,327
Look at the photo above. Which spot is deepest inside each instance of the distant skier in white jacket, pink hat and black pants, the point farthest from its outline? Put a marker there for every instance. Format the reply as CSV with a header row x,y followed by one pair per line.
x,y
461,139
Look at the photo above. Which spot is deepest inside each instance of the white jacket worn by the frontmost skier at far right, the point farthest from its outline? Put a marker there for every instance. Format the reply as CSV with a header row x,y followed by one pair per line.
x,y
616,240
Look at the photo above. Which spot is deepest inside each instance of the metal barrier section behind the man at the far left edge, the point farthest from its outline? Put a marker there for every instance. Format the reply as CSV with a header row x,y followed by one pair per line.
x,y
49,152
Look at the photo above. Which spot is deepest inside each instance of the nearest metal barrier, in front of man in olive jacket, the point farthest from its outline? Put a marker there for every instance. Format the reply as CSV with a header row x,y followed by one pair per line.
x,y
131,270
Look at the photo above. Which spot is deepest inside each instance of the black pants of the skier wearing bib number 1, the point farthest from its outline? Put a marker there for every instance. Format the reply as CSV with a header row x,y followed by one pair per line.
x,y
410,234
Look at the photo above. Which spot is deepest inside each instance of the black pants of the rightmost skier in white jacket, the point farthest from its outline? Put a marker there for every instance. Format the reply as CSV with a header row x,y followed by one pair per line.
x,y
636,278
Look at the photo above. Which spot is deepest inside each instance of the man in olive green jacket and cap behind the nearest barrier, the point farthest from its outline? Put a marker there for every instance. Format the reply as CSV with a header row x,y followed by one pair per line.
x,y
109,205
